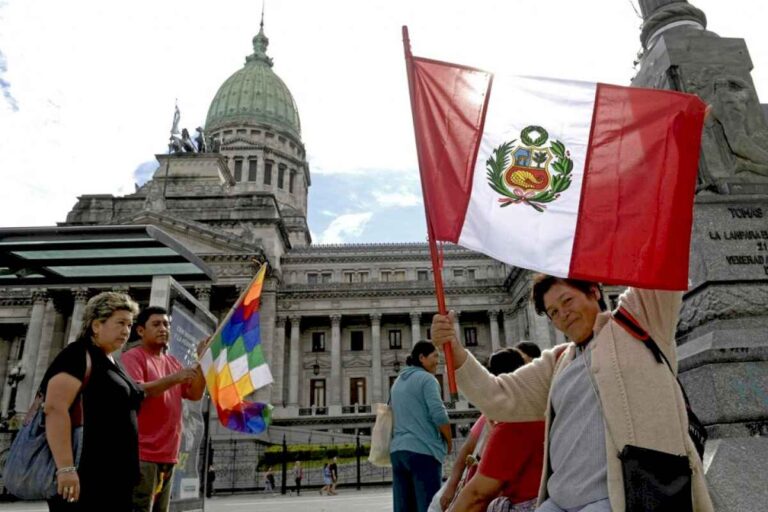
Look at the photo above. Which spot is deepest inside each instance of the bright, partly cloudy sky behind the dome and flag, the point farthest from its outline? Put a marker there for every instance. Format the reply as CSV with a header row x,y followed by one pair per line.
x,y
87,87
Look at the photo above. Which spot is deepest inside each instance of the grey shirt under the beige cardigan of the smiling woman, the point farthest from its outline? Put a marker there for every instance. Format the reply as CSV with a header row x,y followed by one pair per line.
x,y
577,438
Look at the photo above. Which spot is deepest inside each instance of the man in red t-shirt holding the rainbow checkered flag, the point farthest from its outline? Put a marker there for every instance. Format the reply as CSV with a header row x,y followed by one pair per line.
x,y
165,383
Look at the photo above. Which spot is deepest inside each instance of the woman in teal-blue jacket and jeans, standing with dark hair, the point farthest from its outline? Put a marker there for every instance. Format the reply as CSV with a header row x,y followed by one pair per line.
x,y
422,433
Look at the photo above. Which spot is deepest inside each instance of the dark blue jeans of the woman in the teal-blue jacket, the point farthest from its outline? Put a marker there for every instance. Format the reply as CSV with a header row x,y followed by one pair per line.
x,y
415,480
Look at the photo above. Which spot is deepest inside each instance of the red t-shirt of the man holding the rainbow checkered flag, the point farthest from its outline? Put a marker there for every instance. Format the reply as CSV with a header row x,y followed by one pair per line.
x,y
159,416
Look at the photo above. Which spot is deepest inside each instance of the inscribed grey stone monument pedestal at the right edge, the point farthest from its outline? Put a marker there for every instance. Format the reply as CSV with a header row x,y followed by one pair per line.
x,y
723,350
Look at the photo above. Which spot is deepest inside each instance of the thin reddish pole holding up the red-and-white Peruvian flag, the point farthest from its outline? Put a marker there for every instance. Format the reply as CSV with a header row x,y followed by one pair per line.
x,y
437,264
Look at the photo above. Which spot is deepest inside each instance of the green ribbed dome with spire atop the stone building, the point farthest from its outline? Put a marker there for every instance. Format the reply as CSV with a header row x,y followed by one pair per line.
x,y
255,95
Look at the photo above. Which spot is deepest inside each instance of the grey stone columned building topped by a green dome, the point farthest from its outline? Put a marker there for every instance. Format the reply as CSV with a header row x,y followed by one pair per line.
x,y
337,321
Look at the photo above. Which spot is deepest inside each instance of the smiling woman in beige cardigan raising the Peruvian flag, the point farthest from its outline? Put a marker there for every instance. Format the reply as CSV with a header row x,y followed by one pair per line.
x,y
605,396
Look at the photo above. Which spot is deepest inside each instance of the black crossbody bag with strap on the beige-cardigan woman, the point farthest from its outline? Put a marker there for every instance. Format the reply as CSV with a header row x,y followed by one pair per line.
x,y
655,480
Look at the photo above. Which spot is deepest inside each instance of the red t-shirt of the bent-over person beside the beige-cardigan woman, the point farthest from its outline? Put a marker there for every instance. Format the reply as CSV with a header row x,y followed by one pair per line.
x,y
514,454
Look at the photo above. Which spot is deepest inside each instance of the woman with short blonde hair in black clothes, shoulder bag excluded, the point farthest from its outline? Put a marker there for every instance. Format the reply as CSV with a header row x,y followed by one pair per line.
x,y
109,461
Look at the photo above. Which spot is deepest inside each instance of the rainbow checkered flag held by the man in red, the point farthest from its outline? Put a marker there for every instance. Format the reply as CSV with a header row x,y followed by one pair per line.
x,y
234,365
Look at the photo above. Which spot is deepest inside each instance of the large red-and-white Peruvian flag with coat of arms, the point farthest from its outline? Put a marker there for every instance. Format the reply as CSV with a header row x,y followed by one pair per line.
x,y
574,179
